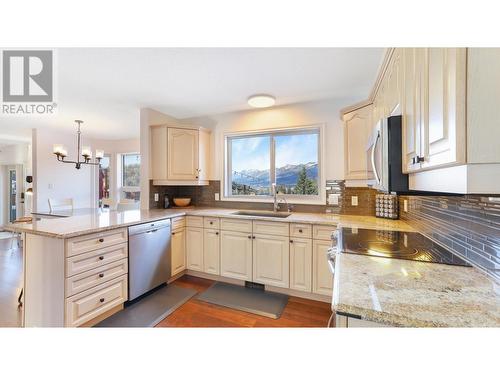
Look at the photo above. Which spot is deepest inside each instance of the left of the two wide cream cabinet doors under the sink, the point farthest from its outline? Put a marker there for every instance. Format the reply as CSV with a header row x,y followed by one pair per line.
x,y
236,255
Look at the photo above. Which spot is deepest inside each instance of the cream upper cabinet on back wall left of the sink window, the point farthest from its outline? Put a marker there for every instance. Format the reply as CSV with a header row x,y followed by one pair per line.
x,y
179,156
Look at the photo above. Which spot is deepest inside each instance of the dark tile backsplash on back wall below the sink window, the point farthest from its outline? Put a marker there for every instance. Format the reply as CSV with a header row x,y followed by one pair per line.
x,y
205,196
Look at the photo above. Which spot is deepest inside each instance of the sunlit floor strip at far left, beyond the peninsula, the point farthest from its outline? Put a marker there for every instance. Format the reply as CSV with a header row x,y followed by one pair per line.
x,y
11,272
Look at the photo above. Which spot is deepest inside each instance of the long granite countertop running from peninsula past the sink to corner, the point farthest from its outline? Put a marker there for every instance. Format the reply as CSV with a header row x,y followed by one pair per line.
x,y
85,221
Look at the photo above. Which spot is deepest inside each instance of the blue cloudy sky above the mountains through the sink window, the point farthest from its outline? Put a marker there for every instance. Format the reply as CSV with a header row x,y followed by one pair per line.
x,y
253,152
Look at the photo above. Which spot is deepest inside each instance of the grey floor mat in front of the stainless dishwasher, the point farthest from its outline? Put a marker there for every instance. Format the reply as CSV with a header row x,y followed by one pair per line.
x,y
150,310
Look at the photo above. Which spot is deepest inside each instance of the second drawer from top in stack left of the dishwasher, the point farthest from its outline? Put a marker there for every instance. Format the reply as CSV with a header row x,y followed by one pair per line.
x,y
97,258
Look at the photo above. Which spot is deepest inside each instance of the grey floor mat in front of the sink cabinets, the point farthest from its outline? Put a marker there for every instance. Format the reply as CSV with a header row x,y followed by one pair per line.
x,y
255,301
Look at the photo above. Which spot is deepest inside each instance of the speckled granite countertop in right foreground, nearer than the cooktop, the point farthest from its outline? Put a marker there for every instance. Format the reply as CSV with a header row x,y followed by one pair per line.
x,y
414,294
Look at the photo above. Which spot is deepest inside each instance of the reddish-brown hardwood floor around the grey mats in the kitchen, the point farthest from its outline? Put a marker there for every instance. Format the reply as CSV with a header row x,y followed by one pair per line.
x,y
299,312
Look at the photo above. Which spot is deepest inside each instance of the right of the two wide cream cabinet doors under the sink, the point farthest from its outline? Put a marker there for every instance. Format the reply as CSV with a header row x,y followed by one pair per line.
x,y
271,259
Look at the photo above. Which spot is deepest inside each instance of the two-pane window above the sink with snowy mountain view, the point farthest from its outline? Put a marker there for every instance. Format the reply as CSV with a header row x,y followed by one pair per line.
x,y
288,158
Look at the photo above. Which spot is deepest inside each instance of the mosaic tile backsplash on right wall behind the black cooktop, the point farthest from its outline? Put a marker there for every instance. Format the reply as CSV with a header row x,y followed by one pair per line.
x,y
468,226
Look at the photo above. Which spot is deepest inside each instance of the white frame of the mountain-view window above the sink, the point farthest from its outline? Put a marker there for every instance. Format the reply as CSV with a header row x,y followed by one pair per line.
x,y
226,195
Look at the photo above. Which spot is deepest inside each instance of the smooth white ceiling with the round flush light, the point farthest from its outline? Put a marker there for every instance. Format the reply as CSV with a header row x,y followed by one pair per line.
x,y
107,87
